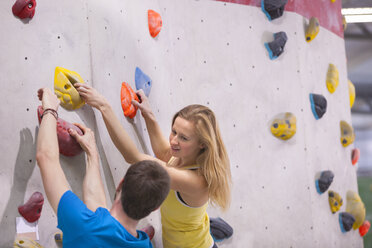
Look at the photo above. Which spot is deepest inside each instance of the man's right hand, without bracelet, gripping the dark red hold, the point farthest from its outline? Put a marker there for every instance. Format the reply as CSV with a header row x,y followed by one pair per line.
x,y
87,140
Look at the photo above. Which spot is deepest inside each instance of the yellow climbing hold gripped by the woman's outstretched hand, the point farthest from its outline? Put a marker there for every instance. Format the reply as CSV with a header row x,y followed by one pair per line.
x,y
64,81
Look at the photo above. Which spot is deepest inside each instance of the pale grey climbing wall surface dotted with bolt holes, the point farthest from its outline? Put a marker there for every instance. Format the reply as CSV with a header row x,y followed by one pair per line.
x,y
207,52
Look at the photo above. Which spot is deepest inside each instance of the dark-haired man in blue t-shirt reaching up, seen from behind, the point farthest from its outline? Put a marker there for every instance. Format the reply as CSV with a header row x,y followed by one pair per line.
x,y
89,223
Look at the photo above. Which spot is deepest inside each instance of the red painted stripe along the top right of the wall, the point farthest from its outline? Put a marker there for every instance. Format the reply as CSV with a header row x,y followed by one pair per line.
x,y
328,13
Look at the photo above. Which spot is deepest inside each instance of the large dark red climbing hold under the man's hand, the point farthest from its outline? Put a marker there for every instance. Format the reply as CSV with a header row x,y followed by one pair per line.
x,y
68,146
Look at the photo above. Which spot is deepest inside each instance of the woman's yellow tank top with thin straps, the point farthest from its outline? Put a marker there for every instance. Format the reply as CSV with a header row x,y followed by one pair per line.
x,y
184,226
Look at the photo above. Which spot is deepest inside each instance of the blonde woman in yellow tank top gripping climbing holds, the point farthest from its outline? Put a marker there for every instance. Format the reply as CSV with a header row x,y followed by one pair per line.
x,y
194,157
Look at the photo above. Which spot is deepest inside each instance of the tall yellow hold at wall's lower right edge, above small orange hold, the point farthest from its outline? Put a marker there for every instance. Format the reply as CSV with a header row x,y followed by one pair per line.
x,y
355,206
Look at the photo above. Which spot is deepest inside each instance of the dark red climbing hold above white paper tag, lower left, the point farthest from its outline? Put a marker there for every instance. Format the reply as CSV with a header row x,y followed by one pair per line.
x,y
31,210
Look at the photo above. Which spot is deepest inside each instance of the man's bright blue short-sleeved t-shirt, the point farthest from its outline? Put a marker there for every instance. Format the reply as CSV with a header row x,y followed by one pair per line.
x,y
82,227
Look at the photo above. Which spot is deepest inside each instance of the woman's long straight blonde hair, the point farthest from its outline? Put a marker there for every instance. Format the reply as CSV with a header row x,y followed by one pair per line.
x,y
213,160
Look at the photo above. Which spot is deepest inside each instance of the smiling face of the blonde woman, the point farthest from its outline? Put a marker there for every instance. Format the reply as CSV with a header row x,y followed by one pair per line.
x,y
184,141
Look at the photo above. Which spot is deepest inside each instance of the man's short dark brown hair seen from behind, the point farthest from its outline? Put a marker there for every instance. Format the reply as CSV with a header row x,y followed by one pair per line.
x,y
146,185
